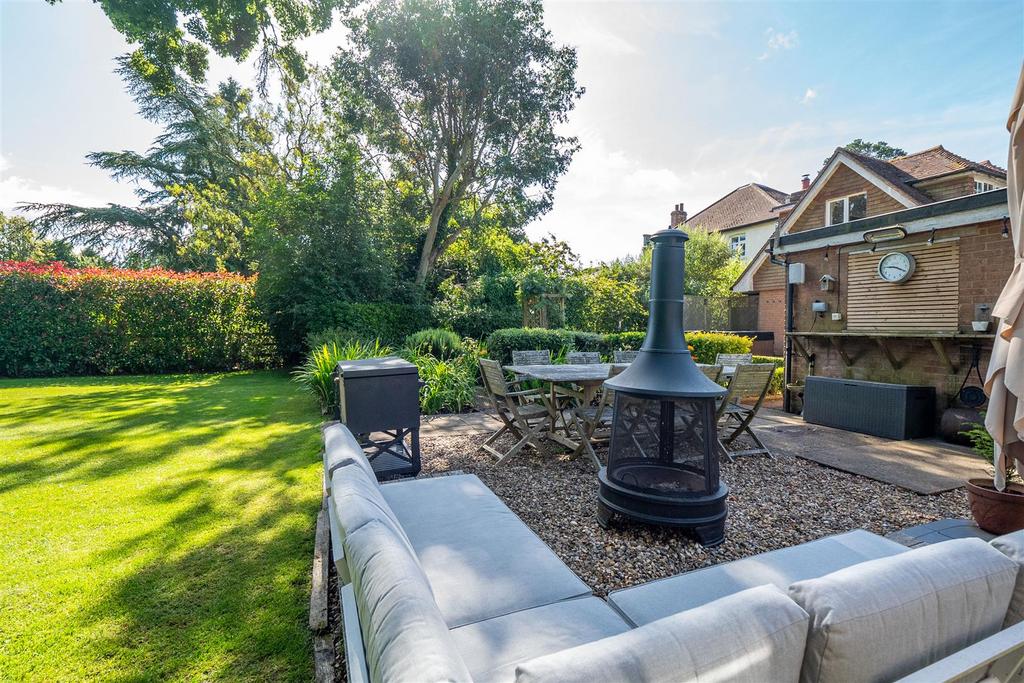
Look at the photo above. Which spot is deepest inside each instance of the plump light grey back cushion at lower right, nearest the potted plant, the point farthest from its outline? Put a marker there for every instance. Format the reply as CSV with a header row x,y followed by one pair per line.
x,y
884,619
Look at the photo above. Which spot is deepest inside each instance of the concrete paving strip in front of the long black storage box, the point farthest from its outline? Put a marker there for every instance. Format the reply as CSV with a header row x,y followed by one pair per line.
x,y
925,466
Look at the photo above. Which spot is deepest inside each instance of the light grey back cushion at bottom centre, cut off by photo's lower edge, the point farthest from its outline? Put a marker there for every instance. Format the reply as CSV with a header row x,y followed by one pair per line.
x,y
756,635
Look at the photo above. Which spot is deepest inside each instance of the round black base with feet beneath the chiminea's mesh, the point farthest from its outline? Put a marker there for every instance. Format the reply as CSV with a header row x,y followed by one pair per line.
x,y
705,515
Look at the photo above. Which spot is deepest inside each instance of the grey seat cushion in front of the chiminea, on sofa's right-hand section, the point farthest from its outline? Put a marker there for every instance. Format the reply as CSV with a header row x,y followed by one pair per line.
x,y
648,603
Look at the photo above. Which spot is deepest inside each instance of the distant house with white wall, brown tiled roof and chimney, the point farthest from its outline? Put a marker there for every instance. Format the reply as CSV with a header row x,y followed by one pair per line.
x,y
746,218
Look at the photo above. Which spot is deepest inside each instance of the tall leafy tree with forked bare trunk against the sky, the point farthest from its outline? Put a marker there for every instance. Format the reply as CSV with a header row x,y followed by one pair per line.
x,y
458,103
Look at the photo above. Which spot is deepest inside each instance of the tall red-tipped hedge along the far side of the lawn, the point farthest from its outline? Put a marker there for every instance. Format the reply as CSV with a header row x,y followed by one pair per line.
x,y
60,321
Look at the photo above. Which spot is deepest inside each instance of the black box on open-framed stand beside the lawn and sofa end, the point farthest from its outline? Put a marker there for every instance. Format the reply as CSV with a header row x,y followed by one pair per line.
x,y
379,398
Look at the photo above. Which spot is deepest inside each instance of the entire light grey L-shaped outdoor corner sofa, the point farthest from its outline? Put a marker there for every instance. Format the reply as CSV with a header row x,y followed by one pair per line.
x,y
442,582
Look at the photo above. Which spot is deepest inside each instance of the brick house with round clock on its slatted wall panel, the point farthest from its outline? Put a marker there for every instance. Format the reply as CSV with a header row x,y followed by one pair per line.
x,y
890,265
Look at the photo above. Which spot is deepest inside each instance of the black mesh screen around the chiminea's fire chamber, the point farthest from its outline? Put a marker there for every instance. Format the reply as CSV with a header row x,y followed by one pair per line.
x,y
664,446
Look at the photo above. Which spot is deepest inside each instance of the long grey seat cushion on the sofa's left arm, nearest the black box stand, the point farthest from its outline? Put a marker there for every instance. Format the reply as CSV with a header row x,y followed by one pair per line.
x,y
481,560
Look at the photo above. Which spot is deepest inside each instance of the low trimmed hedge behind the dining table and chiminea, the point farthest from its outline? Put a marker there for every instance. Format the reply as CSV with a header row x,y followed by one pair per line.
x,y
706,345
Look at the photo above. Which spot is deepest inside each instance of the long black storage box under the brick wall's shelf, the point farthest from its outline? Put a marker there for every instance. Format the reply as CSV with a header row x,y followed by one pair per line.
x,y
892,411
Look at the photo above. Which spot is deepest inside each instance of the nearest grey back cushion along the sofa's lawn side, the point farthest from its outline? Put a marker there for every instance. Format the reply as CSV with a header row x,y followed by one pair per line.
x,y
405,636
